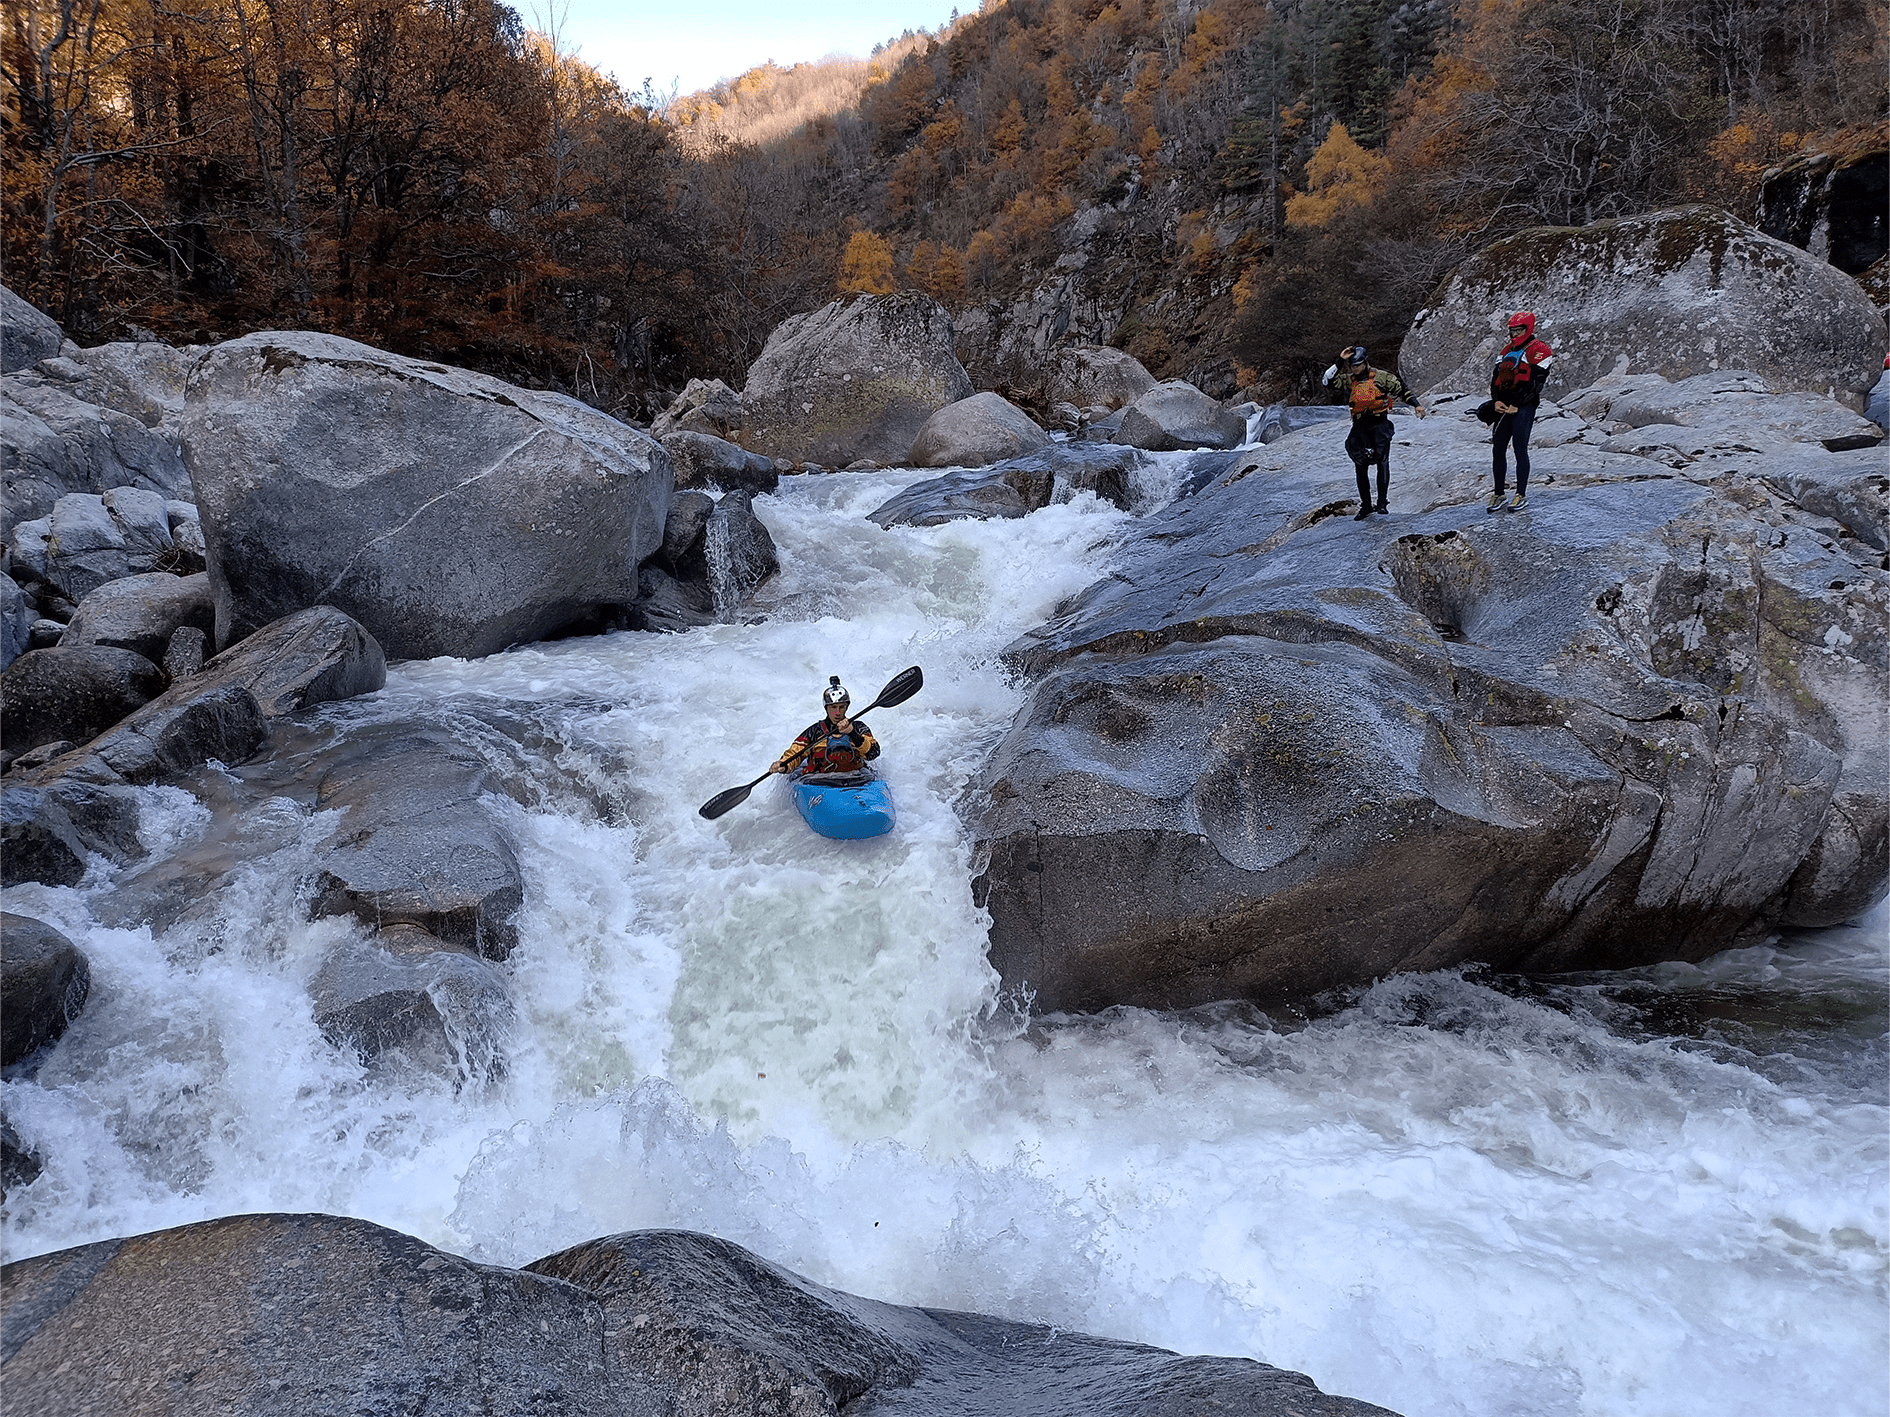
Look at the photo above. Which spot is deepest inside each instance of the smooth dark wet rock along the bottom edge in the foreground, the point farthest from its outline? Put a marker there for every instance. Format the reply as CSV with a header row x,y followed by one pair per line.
x,y
638,1325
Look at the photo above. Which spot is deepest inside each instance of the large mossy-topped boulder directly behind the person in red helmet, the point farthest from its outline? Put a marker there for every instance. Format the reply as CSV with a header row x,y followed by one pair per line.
x,y
1675,294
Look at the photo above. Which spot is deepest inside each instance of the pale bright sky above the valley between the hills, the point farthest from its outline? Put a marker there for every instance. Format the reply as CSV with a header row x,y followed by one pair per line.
x,y
696,43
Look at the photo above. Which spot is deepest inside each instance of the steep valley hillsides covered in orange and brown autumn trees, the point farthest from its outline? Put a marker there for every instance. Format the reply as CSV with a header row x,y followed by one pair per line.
x,y
1228,190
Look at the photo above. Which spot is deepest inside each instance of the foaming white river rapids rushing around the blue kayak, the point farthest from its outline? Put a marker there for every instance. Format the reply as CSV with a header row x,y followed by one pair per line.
x,y
1655,1193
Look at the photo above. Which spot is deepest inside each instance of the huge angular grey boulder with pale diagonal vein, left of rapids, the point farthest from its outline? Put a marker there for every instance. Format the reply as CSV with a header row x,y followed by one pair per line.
x,y
445,511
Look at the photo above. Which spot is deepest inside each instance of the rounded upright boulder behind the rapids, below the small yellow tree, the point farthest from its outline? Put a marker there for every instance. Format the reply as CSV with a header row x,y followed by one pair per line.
x,y
853,381
